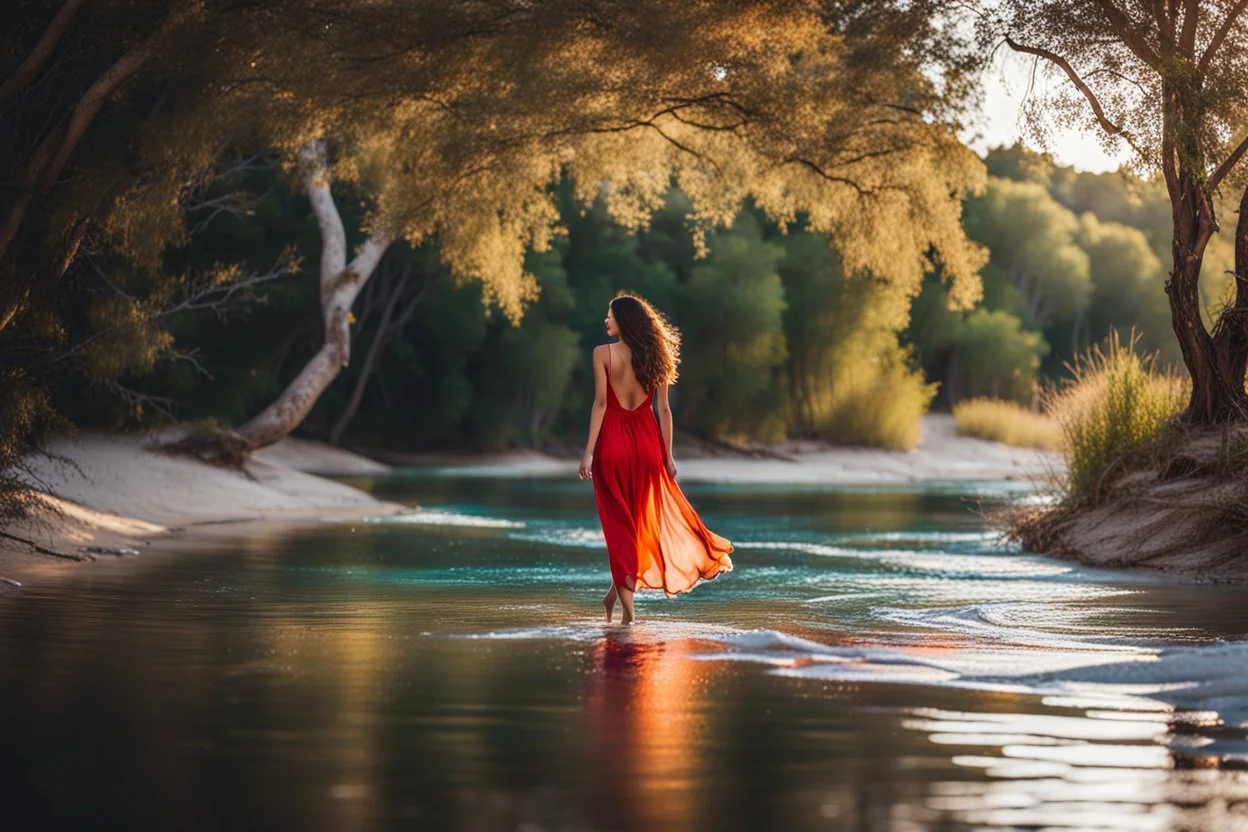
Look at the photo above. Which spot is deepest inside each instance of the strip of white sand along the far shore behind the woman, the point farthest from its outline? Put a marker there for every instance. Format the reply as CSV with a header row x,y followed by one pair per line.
x,y
940,456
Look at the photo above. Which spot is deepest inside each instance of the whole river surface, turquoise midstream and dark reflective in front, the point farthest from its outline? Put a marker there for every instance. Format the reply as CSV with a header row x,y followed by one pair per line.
x,y
879,660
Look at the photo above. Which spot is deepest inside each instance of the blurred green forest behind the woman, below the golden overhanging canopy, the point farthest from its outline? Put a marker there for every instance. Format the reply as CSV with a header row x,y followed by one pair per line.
x,y
779,342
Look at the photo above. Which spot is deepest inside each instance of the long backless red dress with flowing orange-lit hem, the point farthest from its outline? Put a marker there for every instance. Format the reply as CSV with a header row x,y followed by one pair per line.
x,y
655,538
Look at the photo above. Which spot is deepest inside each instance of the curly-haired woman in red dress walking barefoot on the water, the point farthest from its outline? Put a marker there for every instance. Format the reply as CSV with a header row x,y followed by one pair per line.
x,y
655,538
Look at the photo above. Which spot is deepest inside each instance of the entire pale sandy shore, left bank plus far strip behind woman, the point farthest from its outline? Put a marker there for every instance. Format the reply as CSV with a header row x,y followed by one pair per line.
x,y
117,493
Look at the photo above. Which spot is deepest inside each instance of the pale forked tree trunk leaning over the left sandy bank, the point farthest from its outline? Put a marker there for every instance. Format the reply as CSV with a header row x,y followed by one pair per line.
x,y
340,285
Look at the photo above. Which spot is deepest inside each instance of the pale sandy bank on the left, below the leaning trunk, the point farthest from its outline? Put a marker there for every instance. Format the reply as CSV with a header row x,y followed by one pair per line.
x,y
110,493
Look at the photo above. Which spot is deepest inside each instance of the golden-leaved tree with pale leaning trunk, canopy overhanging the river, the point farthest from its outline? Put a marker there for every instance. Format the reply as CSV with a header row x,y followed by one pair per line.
x,y
454,122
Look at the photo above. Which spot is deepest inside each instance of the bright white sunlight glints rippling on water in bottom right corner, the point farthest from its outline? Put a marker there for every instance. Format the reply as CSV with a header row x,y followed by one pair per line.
x,y
1101,770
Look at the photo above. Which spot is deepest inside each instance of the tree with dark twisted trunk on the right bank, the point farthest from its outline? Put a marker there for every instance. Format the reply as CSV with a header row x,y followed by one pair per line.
x,y
1169,80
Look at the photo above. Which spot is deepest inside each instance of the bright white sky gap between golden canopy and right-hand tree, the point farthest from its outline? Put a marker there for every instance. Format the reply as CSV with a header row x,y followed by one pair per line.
x,y
1005,87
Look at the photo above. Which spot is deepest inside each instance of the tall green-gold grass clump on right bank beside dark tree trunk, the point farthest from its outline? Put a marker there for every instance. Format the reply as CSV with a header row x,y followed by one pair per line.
x,y
1113,415
